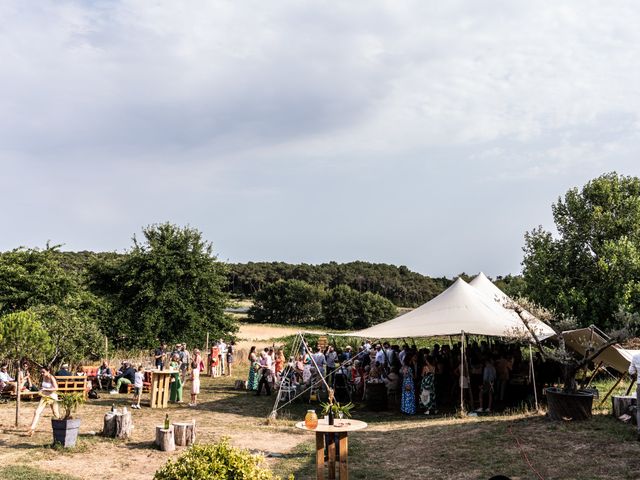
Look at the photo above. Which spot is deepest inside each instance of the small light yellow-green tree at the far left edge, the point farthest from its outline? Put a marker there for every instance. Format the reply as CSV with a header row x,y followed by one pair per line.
x,y
22,335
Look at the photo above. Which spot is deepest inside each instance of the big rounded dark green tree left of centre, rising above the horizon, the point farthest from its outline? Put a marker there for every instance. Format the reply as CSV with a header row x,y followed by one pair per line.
x,y
168,287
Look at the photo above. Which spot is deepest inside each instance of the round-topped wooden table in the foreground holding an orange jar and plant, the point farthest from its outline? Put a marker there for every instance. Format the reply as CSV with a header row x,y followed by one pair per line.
x,y
341,428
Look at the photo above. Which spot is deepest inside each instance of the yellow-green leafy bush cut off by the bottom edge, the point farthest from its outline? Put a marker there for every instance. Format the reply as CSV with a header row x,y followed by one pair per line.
x,y
219,461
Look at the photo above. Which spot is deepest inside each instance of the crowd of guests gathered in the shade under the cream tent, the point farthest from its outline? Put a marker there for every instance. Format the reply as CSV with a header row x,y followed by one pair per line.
x,y
421,380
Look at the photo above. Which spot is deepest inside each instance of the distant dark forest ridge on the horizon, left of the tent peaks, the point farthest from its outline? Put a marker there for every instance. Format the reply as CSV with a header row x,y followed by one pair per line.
x,y
397,284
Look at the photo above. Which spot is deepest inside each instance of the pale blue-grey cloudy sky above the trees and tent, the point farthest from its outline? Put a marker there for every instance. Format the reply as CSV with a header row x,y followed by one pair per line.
x,y
420,133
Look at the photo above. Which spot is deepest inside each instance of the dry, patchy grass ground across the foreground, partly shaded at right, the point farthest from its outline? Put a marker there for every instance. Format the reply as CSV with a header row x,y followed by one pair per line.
x,y
392,447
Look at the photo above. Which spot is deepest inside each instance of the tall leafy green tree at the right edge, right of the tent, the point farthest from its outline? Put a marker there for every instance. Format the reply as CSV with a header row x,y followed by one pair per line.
x,y
591,268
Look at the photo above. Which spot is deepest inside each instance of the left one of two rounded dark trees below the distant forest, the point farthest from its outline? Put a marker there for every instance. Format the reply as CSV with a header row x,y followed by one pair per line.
x,y
288,301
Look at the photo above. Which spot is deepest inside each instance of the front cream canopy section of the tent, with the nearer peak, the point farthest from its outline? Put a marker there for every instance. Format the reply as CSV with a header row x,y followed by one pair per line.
x,y
460,308
